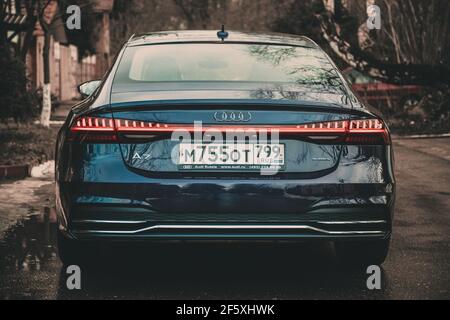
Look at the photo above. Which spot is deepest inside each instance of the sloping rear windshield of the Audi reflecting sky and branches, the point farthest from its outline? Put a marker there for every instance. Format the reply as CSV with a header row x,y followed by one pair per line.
x,y
225,63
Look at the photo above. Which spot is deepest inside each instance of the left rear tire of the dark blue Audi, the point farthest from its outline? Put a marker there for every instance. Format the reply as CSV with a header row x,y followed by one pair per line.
x,y
73,252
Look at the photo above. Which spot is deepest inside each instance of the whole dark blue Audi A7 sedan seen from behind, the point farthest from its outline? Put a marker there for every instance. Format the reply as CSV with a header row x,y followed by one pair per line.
x,y
195,135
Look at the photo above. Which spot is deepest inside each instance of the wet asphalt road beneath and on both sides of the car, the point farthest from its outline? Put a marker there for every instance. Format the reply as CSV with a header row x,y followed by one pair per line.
x,y
418,266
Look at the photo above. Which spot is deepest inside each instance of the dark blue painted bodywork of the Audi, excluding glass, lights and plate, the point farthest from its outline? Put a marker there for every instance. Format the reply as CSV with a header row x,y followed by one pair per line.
x,y
134,190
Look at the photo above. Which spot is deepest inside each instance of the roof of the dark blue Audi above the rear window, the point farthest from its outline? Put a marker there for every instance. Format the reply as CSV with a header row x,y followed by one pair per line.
x,y
165,37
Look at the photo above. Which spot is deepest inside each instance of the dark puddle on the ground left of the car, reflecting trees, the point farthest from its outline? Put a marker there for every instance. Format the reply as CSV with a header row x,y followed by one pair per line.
x,y
29,265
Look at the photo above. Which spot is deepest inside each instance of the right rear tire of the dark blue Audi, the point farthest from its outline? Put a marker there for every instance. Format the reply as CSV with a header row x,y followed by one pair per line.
x,y
362,254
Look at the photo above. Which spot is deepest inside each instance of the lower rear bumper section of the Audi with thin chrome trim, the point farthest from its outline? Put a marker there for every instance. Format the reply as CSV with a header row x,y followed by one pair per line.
x,y
333,225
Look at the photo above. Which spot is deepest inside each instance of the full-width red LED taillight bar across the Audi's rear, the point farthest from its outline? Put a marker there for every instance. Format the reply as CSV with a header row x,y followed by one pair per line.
x,y
361,131
